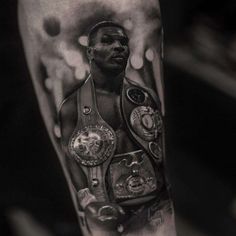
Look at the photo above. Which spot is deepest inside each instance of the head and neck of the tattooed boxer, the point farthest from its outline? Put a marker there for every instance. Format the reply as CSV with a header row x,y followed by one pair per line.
x,y
108,58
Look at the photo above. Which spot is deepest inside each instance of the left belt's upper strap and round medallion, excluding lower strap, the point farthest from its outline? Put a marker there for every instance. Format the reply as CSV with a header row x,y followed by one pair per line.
x,y
93,141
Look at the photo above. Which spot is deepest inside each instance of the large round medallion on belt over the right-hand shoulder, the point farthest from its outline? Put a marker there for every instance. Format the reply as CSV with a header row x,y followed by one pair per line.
x,y
146,122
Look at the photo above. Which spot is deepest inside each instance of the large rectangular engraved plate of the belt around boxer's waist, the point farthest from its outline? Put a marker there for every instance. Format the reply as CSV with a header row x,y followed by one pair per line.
x,y
133,176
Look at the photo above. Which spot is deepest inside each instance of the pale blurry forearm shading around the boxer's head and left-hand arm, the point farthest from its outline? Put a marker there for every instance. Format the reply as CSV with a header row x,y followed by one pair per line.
x,y
54,37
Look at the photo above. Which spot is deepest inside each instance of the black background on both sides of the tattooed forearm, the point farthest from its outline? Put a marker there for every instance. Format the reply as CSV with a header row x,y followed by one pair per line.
x,y
200,124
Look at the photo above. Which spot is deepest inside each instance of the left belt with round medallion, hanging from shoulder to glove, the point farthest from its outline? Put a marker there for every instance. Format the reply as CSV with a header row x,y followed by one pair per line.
x,y
93,141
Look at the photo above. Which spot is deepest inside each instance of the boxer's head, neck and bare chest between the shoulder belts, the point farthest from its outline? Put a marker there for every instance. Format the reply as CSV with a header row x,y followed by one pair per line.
x,y
108,59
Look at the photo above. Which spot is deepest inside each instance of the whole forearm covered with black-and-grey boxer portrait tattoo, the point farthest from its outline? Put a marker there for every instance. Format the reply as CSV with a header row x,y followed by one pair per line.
x,y
101,75
